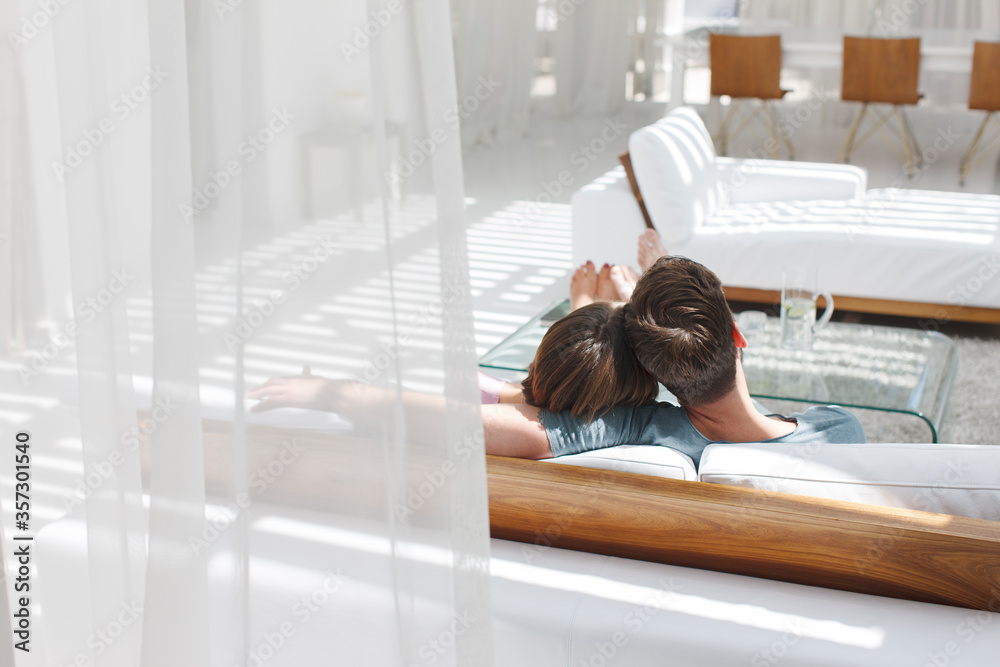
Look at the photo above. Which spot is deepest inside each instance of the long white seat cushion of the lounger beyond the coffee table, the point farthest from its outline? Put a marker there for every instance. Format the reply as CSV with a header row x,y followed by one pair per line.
x,y
899,245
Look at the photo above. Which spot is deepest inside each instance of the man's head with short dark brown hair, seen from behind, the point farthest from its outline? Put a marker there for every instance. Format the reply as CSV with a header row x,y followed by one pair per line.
x,y
681,328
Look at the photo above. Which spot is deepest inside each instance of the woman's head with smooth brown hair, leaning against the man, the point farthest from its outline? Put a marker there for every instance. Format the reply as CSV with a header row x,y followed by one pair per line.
x,y
584,364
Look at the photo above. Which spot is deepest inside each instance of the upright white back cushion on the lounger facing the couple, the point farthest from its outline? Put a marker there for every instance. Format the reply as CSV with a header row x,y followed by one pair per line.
x,y
674,165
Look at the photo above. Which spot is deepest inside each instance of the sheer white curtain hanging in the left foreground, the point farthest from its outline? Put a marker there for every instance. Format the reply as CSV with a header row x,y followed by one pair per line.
x,y
244,189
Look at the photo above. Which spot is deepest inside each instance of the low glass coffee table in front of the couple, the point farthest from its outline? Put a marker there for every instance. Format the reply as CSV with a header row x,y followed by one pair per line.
x,y
854,365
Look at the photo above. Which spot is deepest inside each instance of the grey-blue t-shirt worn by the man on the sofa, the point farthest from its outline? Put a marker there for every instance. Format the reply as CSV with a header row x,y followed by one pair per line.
x,y
668,425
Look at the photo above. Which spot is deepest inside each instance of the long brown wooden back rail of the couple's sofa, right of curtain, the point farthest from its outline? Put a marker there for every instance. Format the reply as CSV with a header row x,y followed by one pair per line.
x,y
869,549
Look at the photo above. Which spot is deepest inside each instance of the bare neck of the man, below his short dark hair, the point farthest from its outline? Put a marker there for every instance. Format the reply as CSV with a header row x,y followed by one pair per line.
x,y
734,417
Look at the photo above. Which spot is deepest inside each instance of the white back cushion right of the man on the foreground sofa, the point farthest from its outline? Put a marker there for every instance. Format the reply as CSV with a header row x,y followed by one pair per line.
x,y
963,480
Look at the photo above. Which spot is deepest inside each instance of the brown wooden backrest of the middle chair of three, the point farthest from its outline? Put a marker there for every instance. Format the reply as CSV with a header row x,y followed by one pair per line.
x,y
881,70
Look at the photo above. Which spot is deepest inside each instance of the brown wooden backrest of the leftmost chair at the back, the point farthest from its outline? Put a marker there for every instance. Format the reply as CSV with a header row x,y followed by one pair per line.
x,y
746,66
